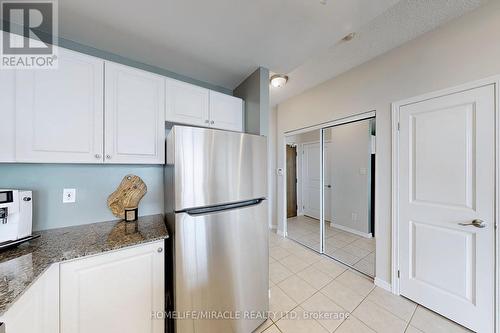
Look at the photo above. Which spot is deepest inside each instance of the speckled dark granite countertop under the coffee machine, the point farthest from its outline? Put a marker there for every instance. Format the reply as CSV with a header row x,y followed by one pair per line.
x,y
152,228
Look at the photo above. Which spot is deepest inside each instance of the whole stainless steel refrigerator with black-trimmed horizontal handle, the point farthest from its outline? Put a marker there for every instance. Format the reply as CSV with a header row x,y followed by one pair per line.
x,y
216,208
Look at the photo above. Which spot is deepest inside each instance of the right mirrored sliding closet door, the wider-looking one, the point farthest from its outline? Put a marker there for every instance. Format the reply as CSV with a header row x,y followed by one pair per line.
x,y
347,172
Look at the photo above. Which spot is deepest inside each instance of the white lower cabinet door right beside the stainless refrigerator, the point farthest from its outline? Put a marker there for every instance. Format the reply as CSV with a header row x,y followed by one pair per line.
x,y
115,292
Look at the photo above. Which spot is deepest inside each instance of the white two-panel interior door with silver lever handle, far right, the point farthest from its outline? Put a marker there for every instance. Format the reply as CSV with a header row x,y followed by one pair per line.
x,y
446,178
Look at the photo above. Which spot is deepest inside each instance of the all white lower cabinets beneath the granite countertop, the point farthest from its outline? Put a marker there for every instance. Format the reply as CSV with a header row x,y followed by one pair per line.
x,y
114,292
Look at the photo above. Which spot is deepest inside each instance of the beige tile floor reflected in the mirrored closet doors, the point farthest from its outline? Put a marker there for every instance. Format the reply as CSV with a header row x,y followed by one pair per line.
x,y
347,247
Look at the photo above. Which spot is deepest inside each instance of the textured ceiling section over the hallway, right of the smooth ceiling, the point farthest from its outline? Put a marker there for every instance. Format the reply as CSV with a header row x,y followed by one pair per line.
x,y
403,22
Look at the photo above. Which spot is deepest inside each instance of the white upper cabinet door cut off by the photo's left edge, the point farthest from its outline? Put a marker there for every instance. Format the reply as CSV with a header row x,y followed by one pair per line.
x,y
7,116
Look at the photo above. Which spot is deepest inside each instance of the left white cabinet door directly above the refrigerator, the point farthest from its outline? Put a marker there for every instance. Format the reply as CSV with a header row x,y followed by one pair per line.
x,y
186,103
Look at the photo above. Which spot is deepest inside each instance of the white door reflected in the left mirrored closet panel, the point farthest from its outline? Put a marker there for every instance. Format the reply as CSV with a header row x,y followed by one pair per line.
x,y
311,180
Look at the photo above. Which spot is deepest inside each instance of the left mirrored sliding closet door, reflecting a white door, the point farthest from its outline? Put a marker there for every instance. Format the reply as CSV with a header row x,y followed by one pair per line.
x,y
304,167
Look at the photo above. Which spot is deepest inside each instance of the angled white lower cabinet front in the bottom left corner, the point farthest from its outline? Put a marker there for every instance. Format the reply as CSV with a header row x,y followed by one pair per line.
x,y
37,310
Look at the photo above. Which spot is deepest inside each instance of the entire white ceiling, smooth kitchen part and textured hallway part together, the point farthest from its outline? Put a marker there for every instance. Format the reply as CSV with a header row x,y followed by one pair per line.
x,y
221,42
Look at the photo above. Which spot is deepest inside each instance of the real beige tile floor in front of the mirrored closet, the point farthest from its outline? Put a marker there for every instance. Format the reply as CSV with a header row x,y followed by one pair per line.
x,y
312,293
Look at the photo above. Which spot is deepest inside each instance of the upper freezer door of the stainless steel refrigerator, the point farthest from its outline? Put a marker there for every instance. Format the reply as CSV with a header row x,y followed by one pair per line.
x,y
212,167
